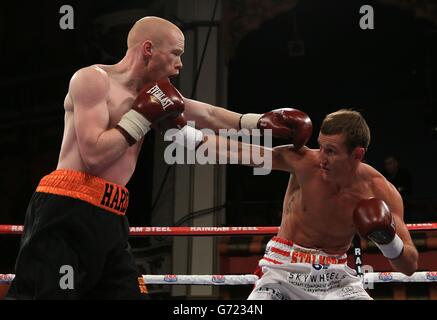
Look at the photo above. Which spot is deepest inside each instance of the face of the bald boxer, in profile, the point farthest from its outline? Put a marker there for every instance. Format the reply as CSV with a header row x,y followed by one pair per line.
x,y
167,56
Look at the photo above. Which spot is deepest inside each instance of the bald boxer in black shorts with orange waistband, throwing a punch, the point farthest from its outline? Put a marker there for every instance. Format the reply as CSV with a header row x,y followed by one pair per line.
x,y
108,110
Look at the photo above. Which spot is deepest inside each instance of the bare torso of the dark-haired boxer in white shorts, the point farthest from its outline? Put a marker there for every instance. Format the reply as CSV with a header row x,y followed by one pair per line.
x,y
316,215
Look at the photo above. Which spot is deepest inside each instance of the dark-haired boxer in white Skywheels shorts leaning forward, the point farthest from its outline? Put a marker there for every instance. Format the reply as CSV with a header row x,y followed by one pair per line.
x,y
332,195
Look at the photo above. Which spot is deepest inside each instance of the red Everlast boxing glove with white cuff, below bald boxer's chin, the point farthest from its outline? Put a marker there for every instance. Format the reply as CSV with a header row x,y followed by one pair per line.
x,y
159,105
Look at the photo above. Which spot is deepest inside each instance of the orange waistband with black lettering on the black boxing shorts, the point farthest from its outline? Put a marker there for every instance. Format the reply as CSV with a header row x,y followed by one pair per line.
x,y
94,190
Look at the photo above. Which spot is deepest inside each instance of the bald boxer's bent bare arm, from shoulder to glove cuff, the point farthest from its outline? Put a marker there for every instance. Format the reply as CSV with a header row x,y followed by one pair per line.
x,y
99,145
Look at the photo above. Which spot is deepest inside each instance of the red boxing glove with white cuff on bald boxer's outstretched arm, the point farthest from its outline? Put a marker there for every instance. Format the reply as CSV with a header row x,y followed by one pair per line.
x,y
285,123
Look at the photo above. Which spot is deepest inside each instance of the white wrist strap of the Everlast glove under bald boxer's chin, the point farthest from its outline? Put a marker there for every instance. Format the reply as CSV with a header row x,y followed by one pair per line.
x,y
133,126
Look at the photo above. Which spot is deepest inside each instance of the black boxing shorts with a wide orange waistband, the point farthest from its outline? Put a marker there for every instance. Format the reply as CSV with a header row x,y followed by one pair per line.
x,y
75,242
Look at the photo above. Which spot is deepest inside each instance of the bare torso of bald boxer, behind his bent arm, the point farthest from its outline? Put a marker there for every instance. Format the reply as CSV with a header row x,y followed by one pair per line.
x,y
119,101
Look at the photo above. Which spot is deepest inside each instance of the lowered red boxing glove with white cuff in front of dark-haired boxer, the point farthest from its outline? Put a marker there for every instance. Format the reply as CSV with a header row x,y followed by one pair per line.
x,y
373,221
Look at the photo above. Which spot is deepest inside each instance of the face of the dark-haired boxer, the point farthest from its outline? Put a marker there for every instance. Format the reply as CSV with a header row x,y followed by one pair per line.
x,y
335,160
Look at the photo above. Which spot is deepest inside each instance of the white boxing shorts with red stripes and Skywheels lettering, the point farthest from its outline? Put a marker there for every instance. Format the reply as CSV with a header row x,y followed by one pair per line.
x,y
292,272
